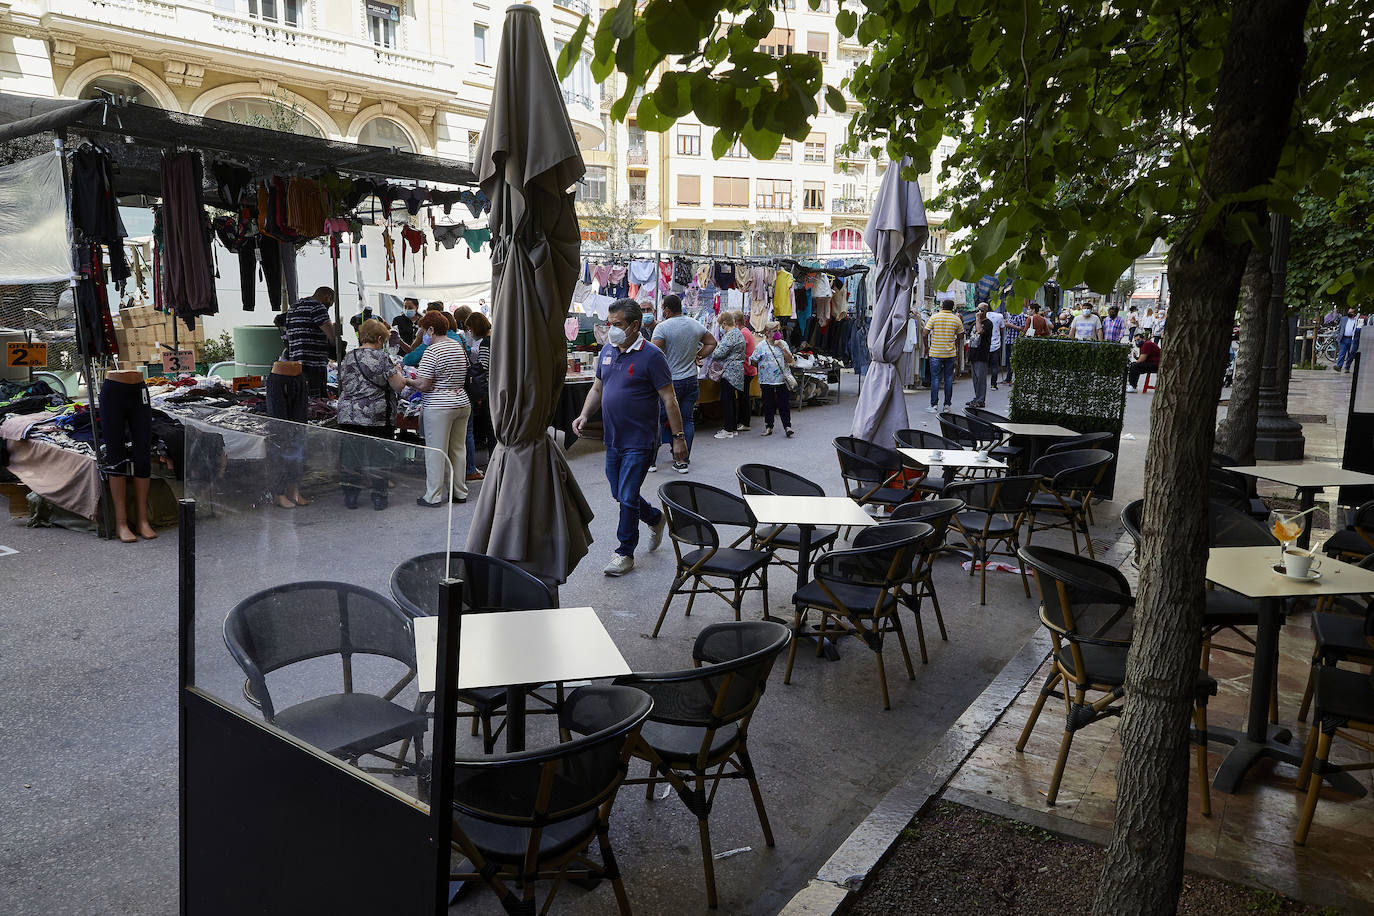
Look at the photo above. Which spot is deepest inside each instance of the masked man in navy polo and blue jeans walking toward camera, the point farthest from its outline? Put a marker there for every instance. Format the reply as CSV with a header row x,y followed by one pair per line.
x,y
631,381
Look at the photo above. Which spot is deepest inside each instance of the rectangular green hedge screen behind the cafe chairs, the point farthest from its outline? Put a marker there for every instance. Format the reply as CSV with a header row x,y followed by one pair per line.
x,y
1075,384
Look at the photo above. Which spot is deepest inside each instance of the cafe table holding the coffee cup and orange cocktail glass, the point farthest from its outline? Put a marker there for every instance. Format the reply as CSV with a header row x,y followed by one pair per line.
x,y
1250,572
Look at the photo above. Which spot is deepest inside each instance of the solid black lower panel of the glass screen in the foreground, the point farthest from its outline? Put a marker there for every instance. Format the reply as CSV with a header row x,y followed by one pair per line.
x,y
273,829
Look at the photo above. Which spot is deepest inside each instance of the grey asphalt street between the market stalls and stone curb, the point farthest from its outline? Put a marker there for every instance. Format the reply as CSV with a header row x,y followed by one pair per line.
x,y
89,674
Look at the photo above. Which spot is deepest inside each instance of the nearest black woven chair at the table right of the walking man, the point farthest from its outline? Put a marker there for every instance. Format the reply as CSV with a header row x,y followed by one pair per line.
x,y
859,593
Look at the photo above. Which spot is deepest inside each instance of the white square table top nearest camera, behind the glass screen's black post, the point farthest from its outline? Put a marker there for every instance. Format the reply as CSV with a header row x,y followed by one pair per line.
x,y
512,649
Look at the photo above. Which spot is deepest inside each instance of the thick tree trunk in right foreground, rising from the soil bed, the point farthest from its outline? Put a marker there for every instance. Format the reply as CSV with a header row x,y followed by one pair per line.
x,y
1252,111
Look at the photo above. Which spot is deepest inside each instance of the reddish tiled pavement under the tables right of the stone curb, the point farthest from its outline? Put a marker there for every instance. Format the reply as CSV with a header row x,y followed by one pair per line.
x,y
1250,836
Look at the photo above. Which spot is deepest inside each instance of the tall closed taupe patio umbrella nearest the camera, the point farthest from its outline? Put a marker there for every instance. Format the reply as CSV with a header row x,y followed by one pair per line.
x,y
531,510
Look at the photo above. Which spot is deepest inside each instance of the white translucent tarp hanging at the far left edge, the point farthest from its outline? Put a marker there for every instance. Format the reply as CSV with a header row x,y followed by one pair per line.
x,y
34,223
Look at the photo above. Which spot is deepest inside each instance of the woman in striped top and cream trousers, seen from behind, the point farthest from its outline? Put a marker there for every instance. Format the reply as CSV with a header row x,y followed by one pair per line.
x,y
444,413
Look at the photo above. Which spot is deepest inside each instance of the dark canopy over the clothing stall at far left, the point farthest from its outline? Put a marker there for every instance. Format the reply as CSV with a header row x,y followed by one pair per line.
x,y
137,137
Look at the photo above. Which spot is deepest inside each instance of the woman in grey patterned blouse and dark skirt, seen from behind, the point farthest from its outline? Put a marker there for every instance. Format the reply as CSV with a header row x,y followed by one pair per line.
x,y
369,384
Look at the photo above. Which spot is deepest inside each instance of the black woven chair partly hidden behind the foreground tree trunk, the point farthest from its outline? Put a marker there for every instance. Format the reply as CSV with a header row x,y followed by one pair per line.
x,y
1088,608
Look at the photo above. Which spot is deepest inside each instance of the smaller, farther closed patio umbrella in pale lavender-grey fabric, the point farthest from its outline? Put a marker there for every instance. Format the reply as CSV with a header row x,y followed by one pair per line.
x,y
895,234
